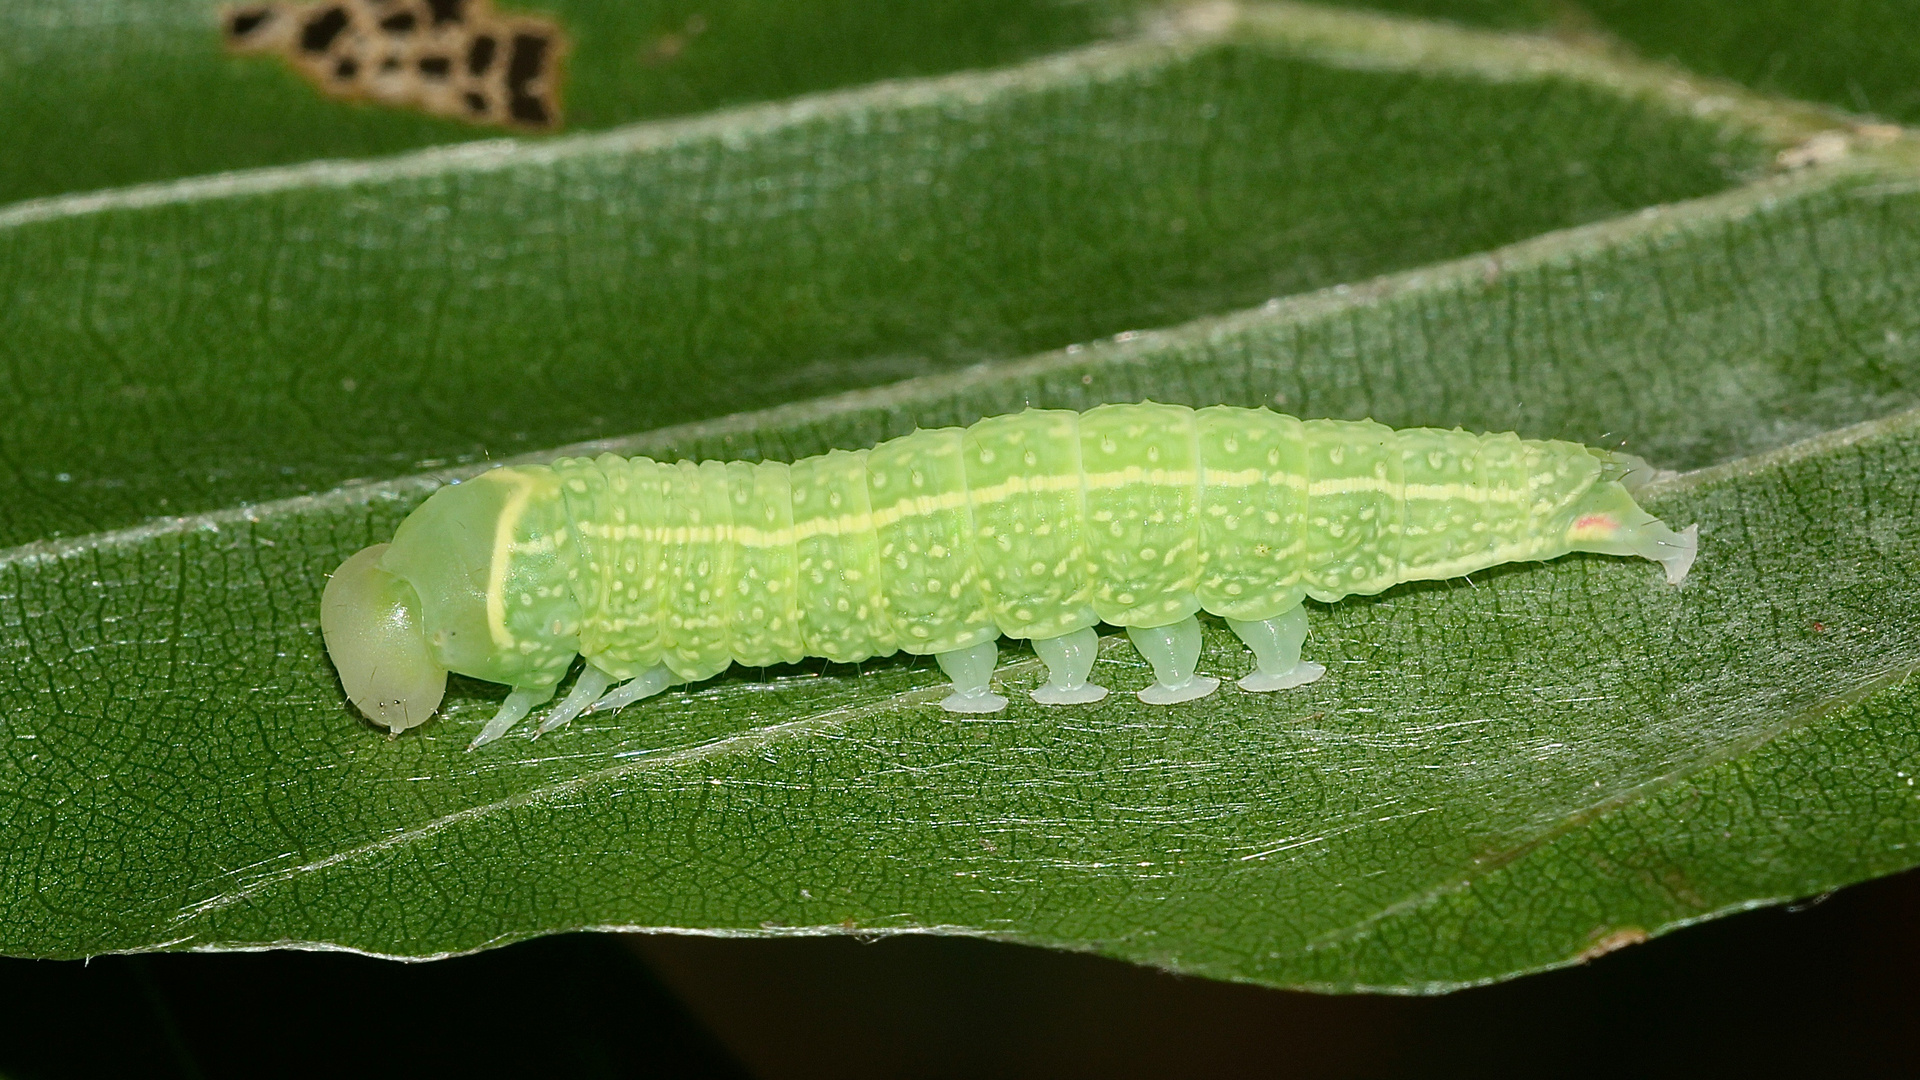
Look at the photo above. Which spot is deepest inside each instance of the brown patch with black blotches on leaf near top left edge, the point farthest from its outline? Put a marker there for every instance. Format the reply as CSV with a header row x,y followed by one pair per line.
x,y
439,57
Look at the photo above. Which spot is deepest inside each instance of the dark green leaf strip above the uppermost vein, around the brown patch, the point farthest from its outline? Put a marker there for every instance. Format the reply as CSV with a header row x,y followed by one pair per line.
x,y
160,97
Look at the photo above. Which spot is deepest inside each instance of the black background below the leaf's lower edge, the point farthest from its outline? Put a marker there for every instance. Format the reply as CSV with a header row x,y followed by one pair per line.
x,y
1821,989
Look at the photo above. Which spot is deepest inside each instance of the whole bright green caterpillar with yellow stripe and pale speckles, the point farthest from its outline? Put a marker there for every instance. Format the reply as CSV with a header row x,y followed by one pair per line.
x,y
1036,526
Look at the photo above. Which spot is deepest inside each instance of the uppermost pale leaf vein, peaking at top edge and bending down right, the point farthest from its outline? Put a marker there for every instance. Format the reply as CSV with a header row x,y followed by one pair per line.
x,y
1335,37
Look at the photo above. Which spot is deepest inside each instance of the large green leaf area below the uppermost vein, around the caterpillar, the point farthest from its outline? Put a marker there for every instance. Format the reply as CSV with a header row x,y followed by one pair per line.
x,y
1497,777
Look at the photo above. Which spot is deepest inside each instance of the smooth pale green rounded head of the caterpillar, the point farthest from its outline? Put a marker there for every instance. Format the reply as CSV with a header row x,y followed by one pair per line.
x,y
377,639
